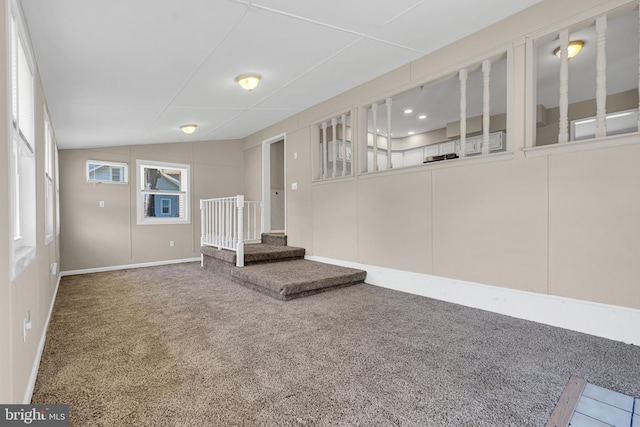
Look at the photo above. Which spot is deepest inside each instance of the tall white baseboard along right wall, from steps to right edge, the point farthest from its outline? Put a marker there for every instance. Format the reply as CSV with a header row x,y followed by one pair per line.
x,y
603,320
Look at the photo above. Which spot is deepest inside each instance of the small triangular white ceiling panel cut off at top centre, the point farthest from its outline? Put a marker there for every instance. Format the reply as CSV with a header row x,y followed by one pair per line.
x,y
355,15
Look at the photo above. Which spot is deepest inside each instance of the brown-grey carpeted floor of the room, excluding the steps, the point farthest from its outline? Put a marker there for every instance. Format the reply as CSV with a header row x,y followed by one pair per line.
x,y
173,345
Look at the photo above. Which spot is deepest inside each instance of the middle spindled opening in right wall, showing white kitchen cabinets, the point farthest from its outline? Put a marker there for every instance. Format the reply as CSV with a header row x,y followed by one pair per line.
x,y
425,121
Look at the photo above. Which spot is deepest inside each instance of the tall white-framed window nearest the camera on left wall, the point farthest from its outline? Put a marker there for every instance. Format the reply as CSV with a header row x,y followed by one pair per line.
x,y
22,146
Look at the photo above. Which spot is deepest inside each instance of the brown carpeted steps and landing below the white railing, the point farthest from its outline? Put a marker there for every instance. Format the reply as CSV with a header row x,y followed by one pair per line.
x,y
278,270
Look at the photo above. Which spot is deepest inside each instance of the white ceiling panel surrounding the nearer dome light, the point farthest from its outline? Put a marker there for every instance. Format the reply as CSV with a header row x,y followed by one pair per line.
x,y
278,47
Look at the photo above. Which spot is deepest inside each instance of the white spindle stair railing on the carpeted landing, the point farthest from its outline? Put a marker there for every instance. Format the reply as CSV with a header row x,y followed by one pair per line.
x,y
229,223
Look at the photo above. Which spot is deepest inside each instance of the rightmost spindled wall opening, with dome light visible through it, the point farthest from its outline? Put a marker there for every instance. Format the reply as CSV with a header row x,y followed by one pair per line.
x,y
620,41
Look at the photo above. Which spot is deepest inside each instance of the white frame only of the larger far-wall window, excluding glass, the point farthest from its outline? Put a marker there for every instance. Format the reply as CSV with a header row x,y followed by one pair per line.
x,y
185,169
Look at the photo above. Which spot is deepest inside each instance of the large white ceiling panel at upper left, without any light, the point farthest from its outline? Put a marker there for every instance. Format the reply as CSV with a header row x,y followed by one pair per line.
x,y
120,51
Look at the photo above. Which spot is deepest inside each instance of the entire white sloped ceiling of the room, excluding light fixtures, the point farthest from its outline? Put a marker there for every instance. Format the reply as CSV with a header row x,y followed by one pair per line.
x,y
124,72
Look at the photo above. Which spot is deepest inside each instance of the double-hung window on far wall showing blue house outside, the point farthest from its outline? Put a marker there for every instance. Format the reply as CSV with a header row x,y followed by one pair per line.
x,y
163,193
